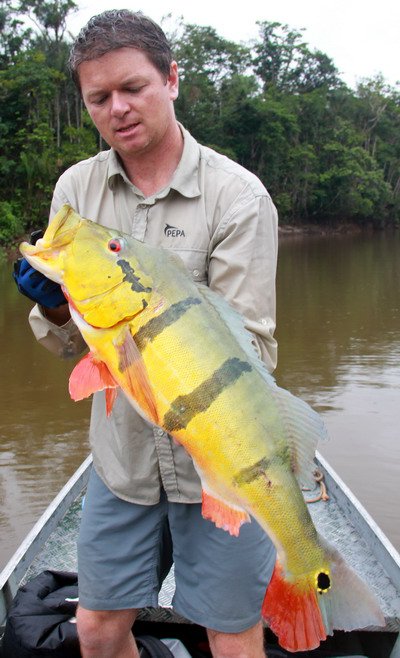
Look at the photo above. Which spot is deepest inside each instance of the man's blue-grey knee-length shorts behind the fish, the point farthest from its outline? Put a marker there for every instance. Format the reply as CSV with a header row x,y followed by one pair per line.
x,y
125,550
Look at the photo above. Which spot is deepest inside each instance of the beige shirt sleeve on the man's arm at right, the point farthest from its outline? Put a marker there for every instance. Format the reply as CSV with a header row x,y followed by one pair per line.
x,y
242,267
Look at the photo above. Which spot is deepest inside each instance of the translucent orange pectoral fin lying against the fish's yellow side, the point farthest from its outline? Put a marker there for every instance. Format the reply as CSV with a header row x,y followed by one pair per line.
x,y
134,374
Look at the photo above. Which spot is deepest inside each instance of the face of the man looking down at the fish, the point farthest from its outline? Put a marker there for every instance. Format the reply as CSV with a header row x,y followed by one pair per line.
x,y
129,100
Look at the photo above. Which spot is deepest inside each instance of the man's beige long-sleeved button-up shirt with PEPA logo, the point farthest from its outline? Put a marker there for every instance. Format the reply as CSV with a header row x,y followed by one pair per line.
x,y
220,220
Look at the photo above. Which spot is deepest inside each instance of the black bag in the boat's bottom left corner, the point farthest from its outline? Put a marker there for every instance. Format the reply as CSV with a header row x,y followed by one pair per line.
x,y
39,623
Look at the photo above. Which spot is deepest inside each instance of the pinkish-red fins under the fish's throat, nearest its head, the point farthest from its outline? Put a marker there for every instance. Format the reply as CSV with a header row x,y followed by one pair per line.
x,y
89,376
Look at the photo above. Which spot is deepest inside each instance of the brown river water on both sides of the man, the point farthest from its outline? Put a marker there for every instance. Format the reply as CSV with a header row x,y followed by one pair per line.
x,y
339,337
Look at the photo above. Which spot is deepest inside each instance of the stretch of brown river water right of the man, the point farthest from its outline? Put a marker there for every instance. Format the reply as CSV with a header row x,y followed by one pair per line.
x,y
339,336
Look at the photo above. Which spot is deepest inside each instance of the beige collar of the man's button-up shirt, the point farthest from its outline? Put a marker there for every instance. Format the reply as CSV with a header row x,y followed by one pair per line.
x,y
185,179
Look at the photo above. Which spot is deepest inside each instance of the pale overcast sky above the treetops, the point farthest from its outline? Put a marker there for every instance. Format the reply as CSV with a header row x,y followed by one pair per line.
x,y
362,37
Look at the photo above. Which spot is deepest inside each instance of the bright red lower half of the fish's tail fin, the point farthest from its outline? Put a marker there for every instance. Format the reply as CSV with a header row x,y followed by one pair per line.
x,y
292,612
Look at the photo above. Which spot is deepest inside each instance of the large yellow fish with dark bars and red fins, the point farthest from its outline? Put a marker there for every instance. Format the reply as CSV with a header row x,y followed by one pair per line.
x,y
183,358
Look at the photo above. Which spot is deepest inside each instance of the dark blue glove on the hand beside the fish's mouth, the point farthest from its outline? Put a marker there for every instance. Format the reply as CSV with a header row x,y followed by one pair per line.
x,y
34,284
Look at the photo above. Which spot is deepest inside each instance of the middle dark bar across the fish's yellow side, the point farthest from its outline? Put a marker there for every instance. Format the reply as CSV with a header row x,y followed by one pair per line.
x,y
185,407
